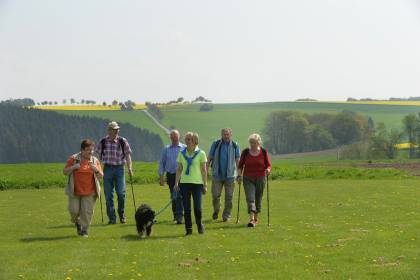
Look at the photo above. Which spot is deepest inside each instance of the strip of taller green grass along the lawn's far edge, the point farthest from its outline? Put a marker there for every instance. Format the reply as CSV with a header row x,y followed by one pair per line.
x,y
40,176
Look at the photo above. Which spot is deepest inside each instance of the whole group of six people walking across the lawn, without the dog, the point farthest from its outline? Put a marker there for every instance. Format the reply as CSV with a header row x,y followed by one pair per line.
x,y
185,167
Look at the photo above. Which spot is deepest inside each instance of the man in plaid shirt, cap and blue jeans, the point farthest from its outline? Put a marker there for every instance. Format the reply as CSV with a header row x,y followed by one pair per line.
x,y
114,152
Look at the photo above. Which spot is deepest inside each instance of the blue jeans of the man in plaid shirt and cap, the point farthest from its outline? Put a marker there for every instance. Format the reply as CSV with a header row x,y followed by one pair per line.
x,y
114,177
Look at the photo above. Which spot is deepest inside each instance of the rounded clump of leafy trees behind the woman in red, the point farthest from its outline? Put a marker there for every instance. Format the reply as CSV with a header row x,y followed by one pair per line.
x,y
293,132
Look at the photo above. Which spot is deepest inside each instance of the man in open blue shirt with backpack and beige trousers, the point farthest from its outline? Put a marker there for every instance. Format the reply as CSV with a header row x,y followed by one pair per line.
x,y
223,158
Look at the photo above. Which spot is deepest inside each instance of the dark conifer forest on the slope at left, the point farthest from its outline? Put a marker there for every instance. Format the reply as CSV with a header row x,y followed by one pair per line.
x,y
32,135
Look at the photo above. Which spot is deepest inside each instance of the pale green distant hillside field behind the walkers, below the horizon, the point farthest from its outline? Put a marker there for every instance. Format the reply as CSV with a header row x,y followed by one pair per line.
x,y
244,118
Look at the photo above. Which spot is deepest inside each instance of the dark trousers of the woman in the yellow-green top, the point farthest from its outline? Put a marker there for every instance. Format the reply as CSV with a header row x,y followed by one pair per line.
x,y
194,191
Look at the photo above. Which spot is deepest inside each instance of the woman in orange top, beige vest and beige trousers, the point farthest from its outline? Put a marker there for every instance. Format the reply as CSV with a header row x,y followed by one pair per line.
x,y
83,188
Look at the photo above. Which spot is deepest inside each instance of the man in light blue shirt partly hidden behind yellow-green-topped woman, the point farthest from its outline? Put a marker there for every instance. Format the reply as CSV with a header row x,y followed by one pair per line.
x,y
168,164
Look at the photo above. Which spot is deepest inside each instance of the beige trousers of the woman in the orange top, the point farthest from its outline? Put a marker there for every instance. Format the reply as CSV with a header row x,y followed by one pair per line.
x,y
81,209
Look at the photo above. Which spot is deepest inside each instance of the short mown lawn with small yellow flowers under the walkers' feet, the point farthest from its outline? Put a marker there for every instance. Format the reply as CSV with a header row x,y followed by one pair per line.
x,y
320,229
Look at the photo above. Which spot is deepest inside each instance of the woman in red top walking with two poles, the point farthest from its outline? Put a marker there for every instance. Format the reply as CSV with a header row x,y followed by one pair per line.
x,y
255,166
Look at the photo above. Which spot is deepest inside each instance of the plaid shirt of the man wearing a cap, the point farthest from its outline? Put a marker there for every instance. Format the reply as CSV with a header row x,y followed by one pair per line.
x,y
112,151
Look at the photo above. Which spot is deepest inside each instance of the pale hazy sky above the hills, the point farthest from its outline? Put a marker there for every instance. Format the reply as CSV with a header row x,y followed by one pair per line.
x,y
225,50
